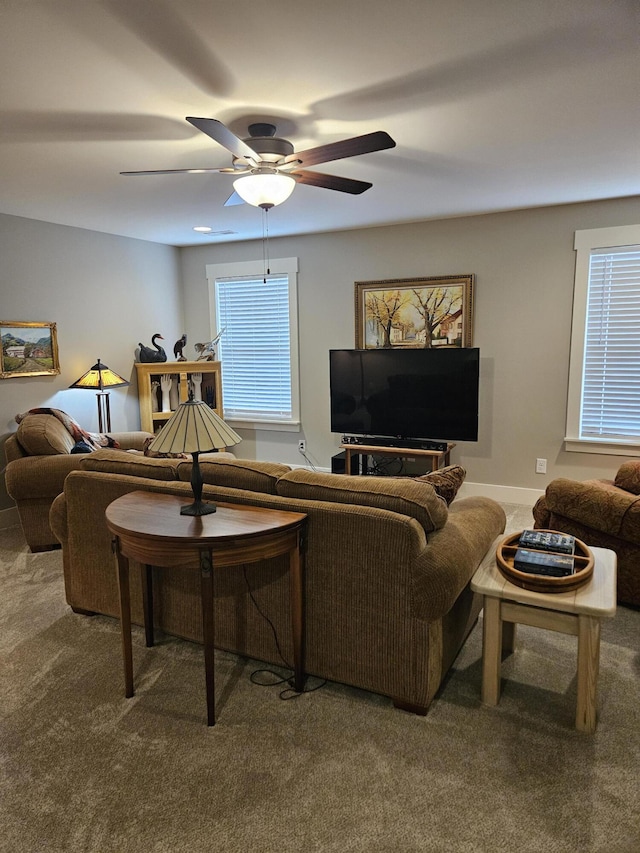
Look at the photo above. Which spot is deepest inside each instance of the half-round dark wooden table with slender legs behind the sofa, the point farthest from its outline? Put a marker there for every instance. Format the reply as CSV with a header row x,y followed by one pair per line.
x,y
149,528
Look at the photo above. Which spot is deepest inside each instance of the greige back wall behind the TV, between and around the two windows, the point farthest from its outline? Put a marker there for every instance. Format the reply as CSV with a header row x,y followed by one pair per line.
x,y
524,267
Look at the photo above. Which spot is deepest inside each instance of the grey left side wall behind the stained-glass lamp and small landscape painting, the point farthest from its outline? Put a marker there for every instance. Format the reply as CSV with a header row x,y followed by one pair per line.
x,y
105,293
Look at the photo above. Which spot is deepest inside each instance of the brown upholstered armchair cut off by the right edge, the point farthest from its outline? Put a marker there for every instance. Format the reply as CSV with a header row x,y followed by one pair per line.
x,y
604,514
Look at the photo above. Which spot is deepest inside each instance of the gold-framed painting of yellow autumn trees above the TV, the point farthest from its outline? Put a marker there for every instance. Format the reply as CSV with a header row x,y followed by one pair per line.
x,y
415,312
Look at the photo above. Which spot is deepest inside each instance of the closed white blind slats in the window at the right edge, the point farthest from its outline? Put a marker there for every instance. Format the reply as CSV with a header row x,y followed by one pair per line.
x,y
611,378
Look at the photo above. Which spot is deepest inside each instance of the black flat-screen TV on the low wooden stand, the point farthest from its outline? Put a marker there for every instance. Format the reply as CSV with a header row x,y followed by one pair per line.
x,y
429,394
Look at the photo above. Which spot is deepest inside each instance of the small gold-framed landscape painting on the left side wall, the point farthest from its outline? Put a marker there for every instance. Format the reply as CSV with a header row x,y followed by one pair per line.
x,y
28,349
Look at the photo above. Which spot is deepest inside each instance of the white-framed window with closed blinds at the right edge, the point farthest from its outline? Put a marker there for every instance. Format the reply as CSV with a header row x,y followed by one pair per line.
x,y
603,414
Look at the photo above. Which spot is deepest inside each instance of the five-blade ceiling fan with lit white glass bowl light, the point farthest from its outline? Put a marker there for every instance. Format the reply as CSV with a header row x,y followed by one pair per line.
x,y
268,168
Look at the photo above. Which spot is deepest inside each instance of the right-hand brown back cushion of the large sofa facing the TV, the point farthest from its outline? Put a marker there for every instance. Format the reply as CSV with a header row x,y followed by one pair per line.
x,y
403,495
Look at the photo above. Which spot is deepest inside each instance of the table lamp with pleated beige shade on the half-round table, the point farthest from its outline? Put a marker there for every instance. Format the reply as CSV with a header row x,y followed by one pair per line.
x,y
194,428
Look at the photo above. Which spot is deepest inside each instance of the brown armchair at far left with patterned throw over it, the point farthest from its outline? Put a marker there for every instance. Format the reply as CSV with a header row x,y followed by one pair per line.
x,y
39,458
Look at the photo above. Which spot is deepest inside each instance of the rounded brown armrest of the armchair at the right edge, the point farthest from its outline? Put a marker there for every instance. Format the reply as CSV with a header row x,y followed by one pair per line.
x,y
596,504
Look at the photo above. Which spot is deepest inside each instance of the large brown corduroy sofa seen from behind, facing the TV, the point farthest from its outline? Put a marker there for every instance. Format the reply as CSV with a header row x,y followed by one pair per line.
x,y
387,568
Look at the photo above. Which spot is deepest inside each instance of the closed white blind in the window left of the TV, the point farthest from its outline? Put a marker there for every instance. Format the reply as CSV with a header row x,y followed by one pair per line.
x,y
255,348
